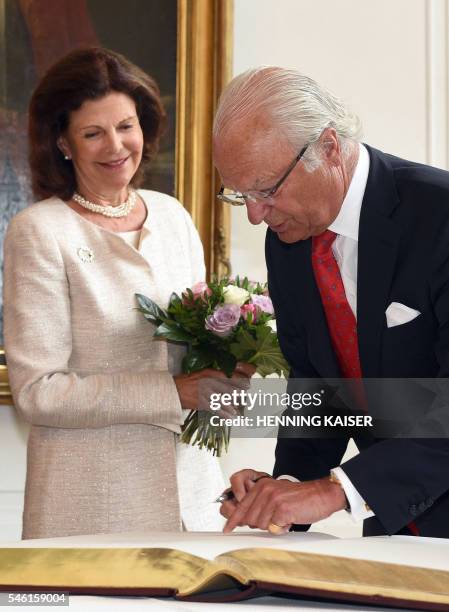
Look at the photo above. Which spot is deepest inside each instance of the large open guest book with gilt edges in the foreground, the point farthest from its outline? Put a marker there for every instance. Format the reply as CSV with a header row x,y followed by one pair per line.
x,y
399,571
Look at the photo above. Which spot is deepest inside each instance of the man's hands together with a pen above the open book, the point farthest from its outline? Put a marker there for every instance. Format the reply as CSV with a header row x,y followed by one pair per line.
x,y
281,502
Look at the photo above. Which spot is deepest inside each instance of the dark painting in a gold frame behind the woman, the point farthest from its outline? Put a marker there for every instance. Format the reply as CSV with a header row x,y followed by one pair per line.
x,y
184,44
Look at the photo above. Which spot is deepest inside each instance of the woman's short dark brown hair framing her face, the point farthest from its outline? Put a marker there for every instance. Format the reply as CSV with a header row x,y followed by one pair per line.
x,y
85,74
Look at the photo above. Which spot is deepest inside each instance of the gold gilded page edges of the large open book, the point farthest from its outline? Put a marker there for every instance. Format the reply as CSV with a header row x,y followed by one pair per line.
x,y
164,571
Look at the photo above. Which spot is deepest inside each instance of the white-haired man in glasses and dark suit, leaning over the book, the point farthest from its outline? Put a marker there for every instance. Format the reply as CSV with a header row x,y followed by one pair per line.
x,y
357,250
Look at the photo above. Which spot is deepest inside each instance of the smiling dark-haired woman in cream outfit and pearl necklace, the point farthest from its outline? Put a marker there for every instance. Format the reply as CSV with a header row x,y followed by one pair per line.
x,y
104,400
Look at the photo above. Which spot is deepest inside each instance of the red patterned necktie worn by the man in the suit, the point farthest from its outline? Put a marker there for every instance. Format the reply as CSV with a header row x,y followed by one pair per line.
x,y
340,318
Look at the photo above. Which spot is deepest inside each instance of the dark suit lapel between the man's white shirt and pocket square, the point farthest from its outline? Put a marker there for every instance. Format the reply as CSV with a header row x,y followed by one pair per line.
x,y
377,253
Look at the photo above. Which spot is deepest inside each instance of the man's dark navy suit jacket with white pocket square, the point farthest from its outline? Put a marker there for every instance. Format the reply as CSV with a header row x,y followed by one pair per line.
x,y
403,256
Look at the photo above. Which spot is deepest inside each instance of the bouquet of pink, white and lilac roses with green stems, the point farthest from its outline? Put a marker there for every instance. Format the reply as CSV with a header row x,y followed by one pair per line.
x,y
221,322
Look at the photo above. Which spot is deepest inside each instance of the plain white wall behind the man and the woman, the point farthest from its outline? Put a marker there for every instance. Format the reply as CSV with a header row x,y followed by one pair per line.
x,y
388,60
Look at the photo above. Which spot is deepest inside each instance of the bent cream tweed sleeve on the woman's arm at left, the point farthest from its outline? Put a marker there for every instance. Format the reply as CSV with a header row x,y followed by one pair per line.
x,y
38,342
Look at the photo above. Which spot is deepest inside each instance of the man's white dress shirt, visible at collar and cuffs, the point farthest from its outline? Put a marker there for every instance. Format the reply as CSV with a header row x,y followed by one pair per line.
x,y
344,248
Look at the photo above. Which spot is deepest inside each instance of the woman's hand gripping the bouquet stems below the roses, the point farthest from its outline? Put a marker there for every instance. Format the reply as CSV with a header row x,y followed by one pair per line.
x,y
195,389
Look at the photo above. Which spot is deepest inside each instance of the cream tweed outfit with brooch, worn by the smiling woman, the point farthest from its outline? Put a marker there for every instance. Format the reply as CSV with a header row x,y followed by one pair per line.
x,y
86,373
